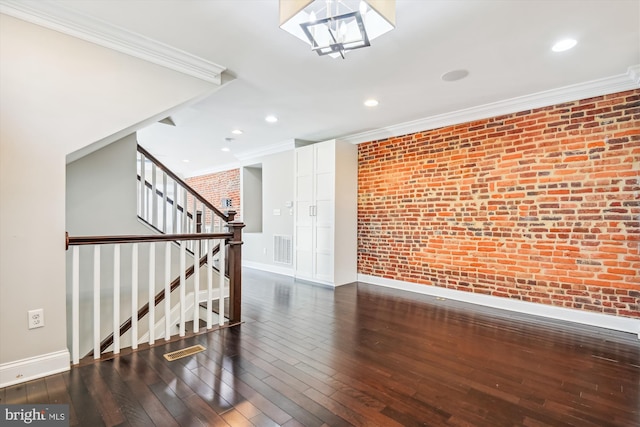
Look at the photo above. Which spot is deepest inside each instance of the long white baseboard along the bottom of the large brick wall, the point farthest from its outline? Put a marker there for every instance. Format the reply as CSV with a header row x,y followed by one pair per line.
x,y
618,323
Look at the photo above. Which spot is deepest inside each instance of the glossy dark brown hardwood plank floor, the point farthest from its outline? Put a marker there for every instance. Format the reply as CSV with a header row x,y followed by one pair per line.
x,y
361,355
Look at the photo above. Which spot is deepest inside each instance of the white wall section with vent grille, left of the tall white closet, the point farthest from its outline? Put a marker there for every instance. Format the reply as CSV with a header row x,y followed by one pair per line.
x,y
277,190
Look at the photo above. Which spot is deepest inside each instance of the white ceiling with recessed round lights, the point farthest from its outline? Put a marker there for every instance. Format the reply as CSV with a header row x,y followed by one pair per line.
x,y
505,46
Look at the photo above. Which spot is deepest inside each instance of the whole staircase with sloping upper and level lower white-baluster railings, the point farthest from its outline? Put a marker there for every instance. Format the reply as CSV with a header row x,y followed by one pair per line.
x,y
179,273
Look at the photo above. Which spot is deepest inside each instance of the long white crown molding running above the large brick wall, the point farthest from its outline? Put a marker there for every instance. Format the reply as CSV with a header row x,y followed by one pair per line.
x,y
619,83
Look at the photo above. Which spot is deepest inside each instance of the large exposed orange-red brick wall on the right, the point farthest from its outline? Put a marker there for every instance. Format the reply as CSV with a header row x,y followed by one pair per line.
x,y
541,205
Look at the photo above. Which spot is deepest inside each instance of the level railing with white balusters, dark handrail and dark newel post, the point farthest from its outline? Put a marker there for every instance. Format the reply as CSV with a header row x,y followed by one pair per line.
x,y
230,240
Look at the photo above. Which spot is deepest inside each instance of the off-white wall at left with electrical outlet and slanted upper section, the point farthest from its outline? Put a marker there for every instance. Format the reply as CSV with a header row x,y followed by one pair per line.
x,y
59,94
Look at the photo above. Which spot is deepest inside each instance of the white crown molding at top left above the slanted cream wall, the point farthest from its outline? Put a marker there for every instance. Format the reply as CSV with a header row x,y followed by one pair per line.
x,y
54,16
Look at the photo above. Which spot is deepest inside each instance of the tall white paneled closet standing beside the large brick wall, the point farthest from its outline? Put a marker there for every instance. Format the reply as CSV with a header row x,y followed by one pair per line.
x,y
318,186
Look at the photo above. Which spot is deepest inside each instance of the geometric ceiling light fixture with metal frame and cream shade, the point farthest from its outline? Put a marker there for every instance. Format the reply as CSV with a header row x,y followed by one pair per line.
x,y
334,27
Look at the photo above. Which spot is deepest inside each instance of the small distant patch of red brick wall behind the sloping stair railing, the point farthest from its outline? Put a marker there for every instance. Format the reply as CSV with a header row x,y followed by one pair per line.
x,y
217,186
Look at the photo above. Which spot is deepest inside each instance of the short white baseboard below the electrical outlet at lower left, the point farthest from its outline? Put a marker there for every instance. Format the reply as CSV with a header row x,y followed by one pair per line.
x,y
33,368
